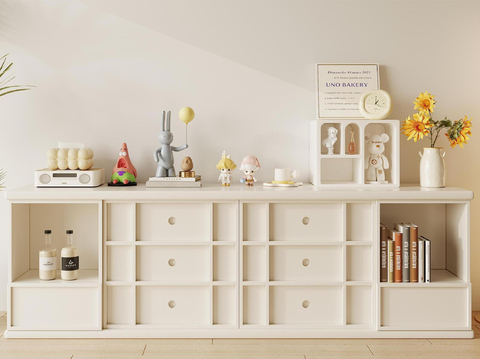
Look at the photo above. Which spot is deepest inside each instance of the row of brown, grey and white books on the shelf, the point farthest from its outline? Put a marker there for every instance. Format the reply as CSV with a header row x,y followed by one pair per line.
x,y
405,257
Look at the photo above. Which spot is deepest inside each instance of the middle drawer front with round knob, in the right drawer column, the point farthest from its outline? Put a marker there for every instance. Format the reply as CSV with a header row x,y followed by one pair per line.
x,y
309,263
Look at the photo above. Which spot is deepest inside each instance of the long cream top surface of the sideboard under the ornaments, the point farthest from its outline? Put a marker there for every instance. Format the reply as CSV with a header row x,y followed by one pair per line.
x,y
214,191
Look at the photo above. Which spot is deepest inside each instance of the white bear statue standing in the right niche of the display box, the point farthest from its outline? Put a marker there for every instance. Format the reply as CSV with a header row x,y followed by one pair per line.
x,y
375,161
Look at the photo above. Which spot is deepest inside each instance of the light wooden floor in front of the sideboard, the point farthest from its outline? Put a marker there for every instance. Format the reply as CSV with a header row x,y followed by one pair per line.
x,y
239,348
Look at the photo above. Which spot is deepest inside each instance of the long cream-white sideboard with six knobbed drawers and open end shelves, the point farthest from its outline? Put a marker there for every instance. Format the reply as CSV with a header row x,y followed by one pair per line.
x,y
236,262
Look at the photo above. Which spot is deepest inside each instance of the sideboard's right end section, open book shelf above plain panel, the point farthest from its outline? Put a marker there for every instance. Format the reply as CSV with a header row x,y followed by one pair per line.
x,y
438,304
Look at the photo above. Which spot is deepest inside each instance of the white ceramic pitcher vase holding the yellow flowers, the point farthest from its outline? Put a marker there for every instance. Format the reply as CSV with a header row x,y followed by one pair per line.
x,y
432,167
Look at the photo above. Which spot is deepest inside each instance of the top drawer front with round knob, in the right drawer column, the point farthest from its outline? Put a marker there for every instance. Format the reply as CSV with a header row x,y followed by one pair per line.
x,y
306,222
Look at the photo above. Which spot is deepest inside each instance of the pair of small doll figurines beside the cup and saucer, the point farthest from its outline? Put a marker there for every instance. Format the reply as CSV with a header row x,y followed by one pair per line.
x,y
249,166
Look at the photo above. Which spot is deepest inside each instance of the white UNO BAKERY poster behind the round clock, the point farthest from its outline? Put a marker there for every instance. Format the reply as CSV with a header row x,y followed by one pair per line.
x,y
340,86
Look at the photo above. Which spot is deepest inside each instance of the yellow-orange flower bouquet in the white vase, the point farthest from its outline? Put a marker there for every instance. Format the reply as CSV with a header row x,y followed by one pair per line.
x,y
422,124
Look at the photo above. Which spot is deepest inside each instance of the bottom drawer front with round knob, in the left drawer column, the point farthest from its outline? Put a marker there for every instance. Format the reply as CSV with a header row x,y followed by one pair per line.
x,y
173,305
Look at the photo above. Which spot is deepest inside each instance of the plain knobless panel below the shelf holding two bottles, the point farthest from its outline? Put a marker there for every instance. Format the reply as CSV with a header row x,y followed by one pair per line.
x,y
55,308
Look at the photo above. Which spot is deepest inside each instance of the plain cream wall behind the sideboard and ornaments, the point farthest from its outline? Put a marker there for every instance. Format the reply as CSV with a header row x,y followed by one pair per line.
x,y
105,70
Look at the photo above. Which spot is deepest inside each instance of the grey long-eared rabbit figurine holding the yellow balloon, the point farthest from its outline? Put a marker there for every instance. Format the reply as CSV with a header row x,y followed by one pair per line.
x,y
164,154
